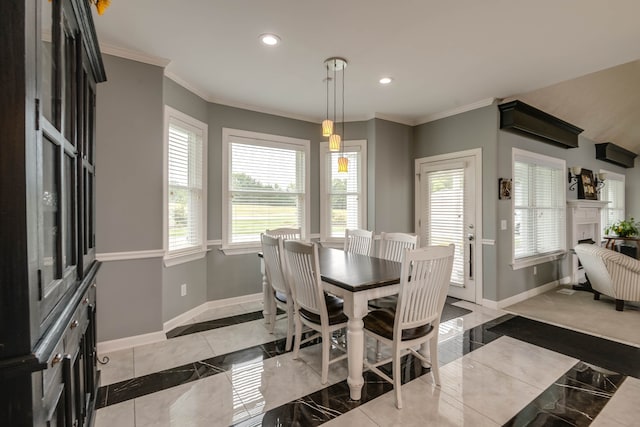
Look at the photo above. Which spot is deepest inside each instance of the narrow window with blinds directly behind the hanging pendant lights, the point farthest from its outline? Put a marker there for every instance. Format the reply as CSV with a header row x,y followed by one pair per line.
x,y
343,200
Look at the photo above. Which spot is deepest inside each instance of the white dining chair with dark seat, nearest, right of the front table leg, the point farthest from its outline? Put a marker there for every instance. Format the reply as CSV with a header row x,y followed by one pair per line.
x,y
424,282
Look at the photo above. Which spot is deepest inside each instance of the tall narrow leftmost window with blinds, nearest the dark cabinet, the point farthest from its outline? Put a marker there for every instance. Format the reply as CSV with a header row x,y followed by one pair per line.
x,y
185,187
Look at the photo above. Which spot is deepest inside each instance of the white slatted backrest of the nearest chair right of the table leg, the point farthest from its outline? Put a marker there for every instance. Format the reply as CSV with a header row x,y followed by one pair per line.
x,y
424,282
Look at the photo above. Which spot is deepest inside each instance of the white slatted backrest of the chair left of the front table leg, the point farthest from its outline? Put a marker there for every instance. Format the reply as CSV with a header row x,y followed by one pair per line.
x,y
304,276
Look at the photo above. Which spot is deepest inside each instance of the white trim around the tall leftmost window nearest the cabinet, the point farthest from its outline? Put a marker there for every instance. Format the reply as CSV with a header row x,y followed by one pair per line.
x,y
193,253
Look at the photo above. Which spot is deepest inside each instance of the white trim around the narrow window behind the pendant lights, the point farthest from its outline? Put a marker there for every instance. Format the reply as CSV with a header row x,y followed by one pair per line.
x,y
325,207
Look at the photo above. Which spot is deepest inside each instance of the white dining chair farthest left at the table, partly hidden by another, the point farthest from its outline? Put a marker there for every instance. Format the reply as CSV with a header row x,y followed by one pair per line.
x,y
272,254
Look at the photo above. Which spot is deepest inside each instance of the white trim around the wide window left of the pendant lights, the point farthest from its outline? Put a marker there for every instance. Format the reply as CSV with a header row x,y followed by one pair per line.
x,y
274,140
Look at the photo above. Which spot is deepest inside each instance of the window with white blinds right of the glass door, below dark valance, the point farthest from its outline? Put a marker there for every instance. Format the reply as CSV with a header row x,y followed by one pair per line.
x,y
539,208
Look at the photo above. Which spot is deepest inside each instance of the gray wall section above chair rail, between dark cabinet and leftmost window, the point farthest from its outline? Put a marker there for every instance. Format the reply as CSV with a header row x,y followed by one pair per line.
x,y
129,157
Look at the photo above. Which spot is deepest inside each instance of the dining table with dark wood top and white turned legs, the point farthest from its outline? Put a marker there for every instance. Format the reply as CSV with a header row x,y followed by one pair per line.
x,y
356,279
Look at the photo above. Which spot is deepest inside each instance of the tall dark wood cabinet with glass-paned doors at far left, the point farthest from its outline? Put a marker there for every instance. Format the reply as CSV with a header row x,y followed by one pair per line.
x,y
50,67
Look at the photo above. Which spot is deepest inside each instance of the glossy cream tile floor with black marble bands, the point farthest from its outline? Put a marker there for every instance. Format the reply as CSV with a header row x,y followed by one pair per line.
x,y
496,369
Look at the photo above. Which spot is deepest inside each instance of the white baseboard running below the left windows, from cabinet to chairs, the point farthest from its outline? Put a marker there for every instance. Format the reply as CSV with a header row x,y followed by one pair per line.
x,y
152,337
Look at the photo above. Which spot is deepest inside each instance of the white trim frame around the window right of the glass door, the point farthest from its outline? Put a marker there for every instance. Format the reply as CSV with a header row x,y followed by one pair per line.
x,y
561,164
